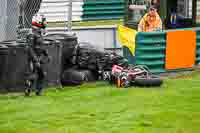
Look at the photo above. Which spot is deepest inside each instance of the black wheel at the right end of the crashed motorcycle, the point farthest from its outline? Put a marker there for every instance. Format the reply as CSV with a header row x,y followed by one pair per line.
x,y
150,81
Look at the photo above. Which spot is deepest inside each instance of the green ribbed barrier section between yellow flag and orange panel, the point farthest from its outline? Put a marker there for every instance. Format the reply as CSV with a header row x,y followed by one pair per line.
x,y
150,50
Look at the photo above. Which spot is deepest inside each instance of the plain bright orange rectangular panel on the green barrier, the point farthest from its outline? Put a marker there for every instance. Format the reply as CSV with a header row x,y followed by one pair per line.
x,y
180,49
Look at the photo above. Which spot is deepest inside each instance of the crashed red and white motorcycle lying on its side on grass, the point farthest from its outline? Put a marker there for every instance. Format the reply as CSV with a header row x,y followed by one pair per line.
x,y
132,76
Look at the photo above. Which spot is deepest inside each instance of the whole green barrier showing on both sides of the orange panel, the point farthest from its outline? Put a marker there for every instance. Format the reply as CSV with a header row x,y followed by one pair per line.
x,y
151,50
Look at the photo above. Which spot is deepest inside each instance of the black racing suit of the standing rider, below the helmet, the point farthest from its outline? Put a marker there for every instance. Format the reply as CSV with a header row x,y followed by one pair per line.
x,y
38,56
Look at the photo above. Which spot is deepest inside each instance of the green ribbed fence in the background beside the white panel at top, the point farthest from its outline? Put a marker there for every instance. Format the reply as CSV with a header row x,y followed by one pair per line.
x,y
103,9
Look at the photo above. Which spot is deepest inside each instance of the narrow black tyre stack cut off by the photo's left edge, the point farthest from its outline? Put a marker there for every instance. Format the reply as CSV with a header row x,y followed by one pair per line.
x,y
3,65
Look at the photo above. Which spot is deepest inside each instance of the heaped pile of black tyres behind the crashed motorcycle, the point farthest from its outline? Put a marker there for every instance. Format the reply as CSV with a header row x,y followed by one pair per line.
x,y
90,58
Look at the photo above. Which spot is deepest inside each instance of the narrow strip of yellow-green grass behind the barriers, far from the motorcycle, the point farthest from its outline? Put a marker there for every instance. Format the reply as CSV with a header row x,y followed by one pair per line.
x,y
87,23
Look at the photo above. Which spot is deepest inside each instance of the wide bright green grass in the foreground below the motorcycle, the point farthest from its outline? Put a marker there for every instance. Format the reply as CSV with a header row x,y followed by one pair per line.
x,y
101,108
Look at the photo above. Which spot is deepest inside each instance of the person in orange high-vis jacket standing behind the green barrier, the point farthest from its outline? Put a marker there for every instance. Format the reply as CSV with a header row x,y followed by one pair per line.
x,y
151,21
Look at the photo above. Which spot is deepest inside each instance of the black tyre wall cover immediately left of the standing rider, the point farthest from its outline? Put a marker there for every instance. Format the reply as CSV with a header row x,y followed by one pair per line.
x,y
16,68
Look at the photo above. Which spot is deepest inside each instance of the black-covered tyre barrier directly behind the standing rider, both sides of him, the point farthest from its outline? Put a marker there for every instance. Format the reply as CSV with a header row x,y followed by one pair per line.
x,y
14,64
